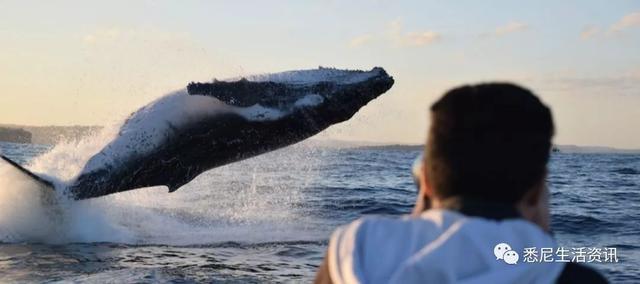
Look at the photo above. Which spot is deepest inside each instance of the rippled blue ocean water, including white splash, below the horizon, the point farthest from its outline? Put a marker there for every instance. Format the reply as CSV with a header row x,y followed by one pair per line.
x,y
267,219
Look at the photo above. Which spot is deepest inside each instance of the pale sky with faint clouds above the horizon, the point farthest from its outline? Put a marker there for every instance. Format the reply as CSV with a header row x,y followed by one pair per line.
x,y
94,62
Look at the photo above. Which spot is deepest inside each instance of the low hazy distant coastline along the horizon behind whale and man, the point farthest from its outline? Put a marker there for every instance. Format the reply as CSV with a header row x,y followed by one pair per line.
x,y
51,135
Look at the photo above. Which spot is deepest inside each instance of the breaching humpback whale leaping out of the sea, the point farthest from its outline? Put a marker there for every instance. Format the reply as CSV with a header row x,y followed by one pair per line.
x,y
177,137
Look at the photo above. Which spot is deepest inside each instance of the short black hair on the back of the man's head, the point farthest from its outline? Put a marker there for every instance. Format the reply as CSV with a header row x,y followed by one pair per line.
x,y
488,141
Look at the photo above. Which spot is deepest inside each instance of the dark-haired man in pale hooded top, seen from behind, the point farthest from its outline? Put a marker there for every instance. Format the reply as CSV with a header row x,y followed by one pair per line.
x,y
482,202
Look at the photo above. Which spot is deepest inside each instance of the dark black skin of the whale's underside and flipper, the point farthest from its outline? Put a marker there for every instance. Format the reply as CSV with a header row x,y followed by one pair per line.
x,y
224,138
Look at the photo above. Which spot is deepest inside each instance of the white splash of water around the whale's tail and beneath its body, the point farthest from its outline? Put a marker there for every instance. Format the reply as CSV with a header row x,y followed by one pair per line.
x,y
226,204
